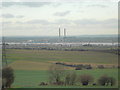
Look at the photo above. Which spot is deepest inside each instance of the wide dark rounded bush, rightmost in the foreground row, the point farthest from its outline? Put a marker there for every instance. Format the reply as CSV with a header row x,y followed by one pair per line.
x,y
105,80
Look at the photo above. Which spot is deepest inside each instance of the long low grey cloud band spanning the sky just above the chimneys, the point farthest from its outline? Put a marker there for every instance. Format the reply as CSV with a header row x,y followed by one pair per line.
x,y
84,23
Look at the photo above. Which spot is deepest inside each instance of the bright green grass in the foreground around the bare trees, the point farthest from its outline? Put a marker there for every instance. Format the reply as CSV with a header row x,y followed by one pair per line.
x,y
29,78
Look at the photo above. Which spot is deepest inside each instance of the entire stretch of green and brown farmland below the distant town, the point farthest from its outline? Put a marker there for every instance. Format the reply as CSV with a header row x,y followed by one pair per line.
x,y
31,66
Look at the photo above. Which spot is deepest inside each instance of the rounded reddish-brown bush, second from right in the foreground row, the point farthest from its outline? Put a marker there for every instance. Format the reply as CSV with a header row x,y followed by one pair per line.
x,y
86,79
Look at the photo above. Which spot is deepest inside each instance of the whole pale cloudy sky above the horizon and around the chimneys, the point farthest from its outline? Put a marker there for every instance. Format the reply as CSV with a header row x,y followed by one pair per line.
x,y
45,18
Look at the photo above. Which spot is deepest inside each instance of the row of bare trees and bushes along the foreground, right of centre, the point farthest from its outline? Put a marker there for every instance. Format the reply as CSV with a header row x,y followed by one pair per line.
x,y
59,76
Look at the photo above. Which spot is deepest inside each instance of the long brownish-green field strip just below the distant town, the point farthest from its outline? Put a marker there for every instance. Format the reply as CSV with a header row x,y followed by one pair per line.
x,y
64,56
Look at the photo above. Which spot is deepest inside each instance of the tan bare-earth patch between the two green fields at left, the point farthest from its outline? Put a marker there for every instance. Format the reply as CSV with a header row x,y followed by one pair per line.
x,y
30,65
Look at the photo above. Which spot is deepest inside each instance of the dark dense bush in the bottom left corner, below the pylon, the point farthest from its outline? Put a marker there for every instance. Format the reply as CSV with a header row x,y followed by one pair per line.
x,y
7,77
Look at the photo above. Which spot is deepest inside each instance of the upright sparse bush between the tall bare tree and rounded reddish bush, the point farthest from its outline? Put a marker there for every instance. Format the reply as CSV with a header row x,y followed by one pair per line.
x,y
70,78
